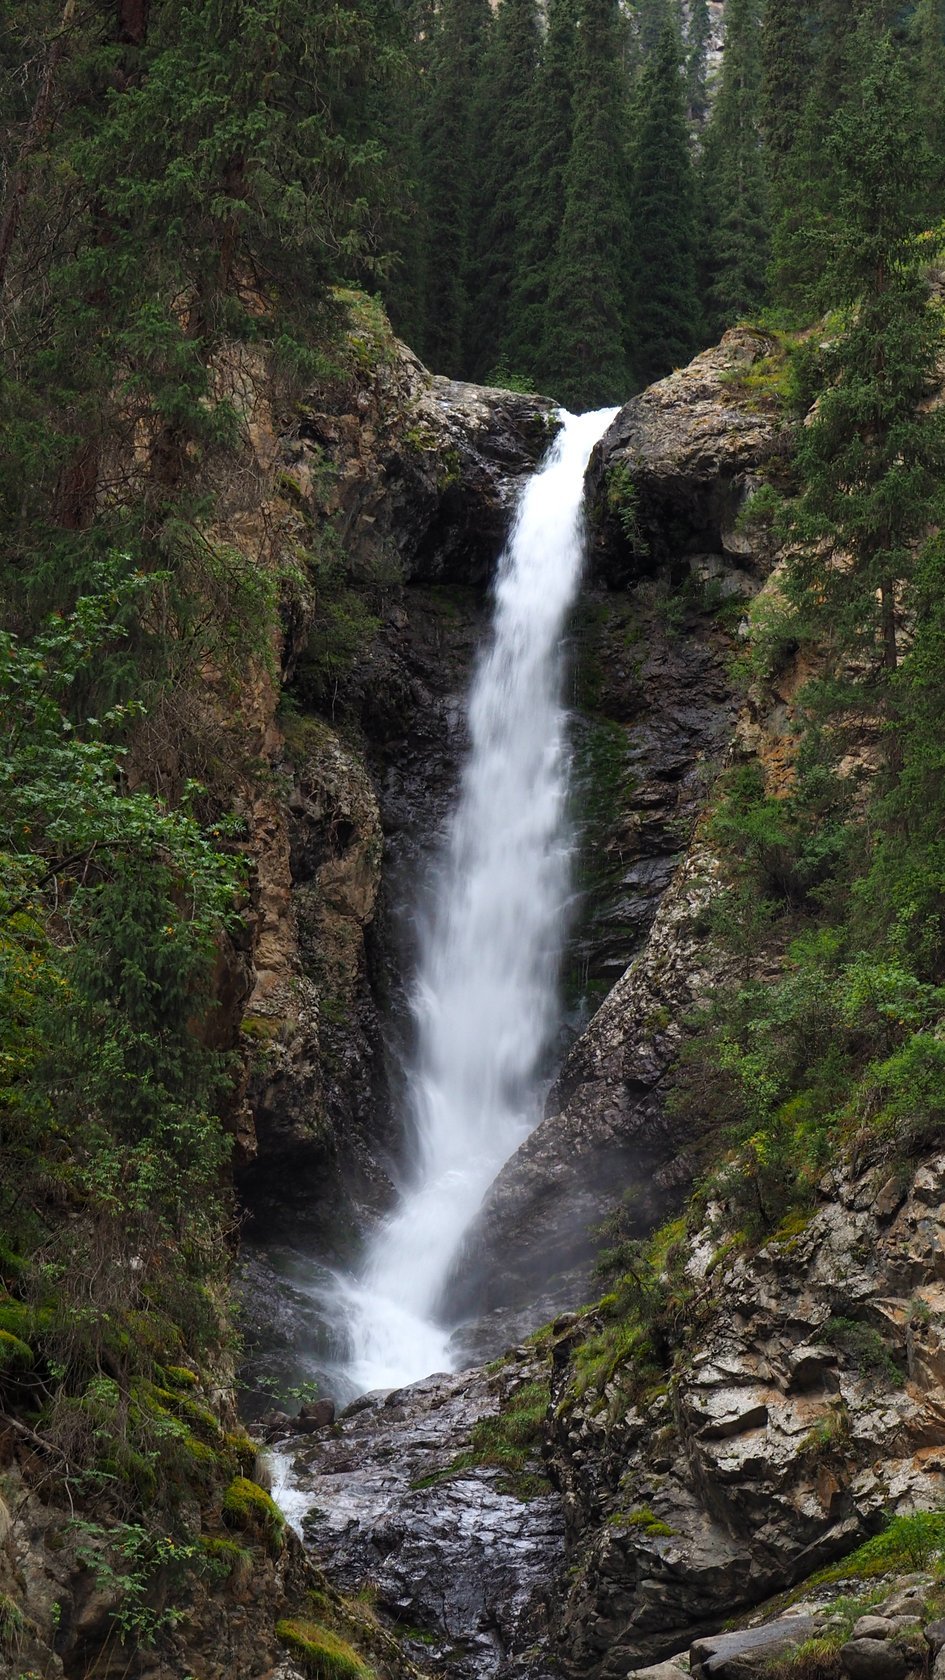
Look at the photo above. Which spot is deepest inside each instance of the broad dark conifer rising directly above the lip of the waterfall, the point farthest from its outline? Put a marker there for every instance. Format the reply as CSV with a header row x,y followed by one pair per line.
x,y
584,349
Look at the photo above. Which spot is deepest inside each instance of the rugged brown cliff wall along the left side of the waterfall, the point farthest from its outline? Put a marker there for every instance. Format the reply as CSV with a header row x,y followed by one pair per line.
x,y
408,478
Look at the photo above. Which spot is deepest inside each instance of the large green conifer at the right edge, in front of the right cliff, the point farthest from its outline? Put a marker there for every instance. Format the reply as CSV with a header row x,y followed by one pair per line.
x,y
875,454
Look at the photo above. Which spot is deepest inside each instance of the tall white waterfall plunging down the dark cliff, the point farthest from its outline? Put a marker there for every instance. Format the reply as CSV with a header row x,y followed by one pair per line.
x,y
485,999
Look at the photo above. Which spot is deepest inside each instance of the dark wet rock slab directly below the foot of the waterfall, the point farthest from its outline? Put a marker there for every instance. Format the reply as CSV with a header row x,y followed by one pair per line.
x,y
467,1572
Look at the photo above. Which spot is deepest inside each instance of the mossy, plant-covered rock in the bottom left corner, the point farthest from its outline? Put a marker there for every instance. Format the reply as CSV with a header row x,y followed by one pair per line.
x,y
73,1604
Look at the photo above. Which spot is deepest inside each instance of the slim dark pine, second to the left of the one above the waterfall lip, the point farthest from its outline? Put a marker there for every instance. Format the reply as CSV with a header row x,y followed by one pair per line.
x,y
504,132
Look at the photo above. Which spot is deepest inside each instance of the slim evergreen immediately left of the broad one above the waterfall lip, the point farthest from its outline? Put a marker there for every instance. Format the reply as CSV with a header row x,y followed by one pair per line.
x,y
544,196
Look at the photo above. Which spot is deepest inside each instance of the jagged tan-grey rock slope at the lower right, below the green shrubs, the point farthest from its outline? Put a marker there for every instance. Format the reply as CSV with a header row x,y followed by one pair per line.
x,y
771,1452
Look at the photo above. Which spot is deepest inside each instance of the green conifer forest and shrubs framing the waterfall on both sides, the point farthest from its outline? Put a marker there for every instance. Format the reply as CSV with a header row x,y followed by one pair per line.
x,y
206,199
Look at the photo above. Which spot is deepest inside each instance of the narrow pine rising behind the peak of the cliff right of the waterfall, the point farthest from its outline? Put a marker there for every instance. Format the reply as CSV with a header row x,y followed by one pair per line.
x,y
732,177
